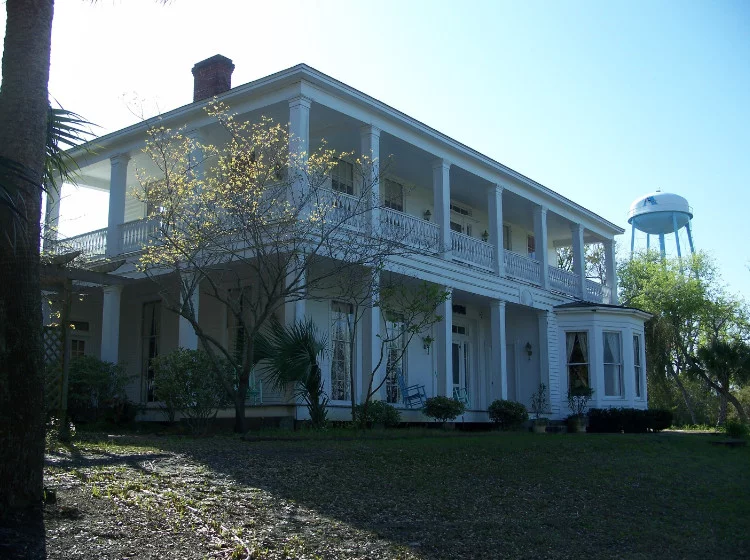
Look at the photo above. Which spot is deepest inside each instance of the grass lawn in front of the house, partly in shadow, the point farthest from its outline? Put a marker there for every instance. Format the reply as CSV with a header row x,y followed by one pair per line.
x,y
494,495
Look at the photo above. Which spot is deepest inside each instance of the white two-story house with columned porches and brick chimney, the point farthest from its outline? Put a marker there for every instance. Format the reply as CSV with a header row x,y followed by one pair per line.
x,y
513,319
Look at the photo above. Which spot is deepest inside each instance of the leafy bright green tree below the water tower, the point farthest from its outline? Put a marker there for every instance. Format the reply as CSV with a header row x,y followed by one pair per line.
x,y
691,310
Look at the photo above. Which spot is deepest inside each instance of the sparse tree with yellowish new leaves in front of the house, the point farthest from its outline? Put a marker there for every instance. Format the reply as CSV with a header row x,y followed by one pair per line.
x,y
255,224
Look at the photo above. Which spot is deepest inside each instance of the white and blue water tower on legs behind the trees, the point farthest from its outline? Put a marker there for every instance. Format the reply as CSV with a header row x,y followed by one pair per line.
x,y
660,214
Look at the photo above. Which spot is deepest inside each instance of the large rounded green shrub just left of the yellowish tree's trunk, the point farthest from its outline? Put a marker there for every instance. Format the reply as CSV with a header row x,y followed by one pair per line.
x,y
185,381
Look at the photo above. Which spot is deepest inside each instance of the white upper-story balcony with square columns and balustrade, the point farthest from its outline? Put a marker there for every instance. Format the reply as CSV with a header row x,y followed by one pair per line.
x,y
435,192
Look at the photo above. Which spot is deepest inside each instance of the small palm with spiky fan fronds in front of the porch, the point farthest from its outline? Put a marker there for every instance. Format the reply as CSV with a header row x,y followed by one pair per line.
x,y
289,355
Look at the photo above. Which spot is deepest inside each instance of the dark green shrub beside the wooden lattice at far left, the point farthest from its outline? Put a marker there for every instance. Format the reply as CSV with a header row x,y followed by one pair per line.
x,y
95,388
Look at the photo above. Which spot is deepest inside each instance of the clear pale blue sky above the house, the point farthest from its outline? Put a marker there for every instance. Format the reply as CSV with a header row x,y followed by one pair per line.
x,y
600,101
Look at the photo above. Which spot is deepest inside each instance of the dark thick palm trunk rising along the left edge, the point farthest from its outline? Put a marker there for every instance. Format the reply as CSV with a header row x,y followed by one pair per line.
x,y
23,114
